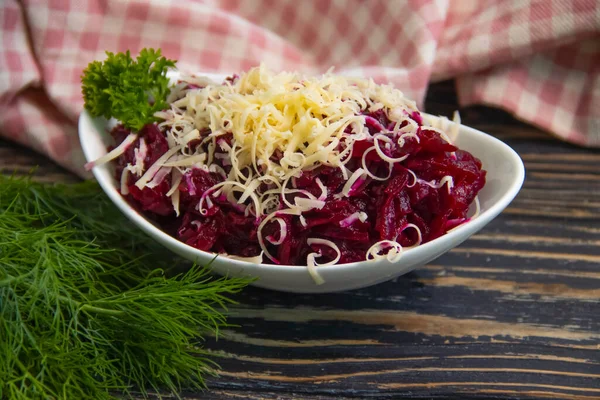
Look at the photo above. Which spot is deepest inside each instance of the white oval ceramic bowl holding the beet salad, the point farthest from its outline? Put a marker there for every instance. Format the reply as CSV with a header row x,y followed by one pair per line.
x,y
505,174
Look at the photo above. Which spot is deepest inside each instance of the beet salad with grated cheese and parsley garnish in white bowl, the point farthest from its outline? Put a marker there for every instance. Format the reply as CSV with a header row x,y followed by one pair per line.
x,y
281,169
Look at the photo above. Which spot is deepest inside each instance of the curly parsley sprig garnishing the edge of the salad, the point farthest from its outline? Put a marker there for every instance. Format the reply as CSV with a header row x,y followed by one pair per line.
x,y
130,91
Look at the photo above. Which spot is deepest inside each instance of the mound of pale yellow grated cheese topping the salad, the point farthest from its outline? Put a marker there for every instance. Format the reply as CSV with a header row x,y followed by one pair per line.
x,y
305,119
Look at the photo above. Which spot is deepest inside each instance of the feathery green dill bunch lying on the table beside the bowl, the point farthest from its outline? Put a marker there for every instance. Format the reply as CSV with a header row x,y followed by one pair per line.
x,y
83,315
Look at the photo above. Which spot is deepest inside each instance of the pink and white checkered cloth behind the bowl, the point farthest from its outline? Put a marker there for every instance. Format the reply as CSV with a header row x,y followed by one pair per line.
x,y
538,59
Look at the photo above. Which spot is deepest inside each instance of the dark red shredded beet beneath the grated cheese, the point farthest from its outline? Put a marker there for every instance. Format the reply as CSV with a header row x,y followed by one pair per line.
x,y
413,194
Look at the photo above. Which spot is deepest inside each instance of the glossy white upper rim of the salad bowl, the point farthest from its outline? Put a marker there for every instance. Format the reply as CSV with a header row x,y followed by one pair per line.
x,y
110,187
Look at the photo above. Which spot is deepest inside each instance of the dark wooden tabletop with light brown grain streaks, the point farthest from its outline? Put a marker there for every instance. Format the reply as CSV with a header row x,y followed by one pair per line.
x,y
512,313
